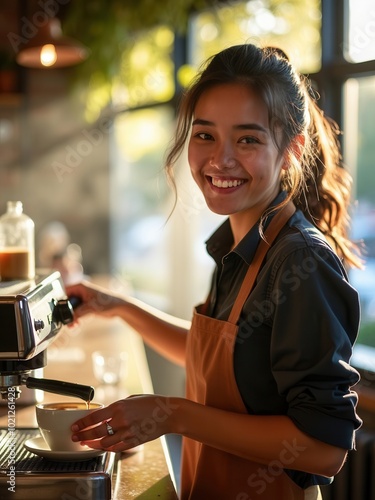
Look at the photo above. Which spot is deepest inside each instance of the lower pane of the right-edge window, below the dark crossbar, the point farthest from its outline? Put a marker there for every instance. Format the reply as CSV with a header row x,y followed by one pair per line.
x,y
359,143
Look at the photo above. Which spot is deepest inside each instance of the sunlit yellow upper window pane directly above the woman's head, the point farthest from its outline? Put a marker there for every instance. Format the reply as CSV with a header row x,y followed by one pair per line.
x,y
294,26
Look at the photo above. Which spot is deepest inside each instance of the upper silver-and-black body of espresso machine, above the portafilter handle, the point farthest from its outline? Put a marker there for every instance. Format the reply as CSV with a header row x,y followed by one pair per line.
x,y
32,314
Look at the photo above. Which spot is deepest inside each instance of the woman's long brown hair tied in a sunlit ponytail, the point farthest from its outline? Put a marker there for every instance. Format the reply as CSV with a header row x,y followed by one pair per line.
x,y
315,180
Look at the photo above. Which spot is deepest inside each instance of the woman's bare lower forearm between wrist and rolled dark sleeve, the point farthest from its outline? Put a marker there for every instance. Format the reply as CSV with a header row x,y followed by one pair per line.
x,y
271,440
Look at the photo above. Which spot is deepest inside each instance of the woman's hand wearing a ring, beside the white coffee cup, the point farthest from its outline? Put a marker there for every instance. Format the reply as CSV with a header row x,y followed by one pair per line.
x,y
134,421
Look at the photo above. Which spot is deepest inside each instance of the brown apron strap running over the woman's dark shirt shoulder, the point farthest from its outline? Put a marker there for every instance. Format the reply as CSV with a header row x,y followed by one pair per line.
x,y
277,223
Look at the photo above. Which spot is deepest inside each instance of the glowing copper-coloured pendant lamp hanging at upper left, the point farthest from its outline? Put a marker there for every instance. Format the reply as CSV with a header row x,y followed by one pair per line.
x,y
49,48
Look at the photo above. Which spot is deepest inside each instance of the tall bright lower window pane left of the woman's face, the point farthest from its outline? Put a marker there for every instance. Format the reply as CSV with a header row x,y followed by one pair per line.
x,y
140,201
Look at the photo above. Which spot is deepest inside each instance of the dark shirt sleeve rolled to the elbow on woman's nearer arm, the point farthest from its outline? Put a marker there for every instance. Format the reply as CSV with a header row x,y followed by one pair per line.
x,y
314,327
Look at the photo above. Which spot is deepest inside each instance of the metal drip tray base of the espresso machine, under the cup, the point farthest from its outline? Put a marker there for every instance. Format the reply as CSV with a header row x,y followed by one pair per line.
x,y
36,478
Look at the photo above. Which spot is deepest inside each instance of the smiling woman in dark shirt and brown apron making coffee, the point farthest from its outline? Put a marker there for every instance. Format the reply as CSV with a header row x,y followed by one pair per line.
x,y
253,363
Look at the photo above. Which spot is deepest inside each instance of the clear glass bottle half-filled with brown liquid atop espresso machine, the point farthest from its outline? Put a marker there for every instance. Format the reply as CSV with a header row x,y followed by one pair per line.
x,y
17,253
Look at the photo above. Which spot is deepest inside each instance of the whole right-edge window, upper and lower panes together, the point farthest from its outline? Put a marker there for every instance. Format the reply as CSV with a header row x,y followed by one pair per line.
x,y
359,147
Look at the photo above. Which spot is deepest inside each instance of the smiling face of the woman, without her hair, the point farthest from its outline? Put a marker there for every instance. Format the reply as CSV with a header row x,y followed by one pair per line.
x,y
232,155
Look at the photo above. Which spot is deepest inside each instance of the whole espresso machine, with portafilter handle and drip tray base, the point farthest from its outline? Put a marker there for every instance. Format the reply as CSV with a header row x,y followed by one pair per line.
x,y
32,315
